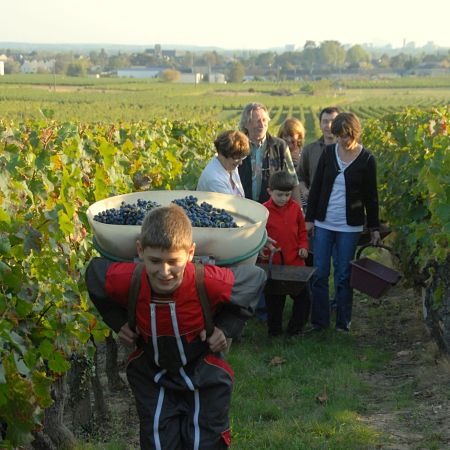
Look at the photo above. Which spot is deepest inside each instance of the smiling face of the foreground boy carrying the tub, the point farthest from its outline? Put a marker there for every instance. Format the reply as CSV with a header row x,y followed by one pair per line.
x,y
165,268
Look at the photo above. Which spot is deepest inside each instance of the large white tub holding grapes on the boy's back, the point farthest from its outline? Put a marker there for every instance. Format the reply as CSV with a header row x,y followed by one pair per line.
x,y
227,246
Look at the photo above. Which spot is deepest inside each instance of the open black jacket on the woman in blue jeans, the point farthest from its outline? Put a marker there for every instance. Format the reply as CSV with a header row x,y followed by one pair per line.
x,y
360,188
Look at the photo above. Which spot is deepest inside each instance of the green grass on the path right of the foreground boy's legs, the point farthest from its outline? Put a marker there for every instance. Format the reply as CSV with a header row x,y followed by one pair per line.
x,y
276,406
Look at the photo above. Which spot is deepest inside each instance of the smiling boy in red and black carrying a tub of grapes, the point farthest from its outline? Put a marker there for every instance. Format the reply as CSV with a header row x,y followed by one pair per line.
x,y
181,383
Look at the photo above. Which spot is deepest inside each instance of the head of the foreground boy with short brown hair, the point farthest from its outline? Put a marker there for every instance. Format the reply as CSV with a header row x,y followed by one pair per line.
x,y
165,247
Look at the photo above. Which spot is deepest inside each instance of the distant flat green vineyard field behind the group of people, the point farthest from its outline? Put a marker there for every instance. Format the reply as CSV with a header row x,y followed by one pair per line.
x,y
89,99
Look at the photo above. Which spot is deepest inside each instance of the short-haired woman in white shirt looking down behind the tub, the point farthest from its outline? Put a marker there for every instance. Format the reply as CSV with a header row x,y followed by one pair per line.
x,y
221,173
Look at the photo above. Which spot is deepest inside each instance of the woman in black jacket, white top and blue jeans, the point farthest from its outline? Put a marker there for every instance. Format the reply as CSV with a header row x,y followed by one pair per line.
x,y
343,196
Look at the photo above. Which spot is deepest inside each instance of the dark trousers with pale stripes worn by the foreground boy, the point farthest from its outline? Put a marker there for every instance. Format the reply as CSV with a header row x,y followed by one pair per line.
x,y
173,417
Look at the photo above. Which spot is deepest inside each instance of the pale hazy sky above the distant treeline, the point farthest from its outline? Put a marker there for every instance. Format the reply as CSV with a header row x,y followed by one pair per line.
x,y
227,24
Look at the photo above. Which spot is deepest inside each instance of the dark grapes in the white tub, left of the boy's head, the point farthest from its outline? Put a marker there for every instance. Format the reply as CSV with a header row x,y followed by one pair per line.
x,y
127,213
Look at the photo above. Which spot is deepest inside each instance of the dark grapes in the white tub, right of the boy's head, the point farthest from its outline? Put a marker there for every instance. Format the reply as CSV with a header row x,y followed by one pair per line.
x,y
204,214
